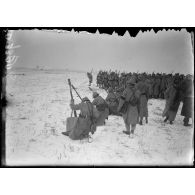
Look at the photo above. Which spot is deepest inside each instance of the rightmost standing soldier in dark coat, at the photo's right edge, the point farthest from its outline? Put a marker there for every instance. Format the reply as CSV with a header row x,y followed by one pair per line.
x,y
187,98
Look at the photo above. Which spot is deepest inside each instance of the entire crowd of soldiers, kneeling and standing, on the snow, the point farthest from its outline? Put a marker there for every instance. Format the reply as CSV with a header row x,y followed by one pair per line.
x,y
128,95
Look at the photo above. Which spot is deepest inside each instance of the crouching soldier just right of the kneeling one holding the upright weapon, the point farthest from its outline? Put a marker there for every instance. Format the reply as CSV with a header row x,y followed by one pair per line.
x,y
102,107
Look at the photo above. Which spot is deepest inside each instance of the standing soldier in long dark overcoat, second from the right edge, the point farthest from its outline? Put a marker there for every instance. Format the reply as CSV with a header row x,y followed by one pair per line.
x,y
172,97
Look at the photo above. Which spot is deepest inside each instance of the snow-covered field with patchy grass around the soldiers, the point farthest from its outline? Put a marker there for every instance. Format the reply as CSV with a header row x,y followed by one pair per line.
x,y
36,116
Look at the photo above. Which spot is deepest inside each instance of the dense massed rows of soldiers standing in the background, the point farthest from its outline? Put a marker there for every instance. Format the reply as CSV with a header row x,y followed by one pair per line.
x,y
157,82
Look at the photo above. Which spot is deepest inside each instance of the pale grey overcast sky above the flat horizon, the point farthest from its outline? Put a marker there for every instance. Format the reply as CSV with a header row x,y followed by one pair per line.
x,y
165,51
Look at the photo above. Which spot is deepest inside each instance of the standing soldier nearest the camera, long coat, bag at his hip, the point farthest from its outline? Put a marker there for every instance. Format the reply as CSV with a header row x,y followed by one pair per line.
x,y
130,116
